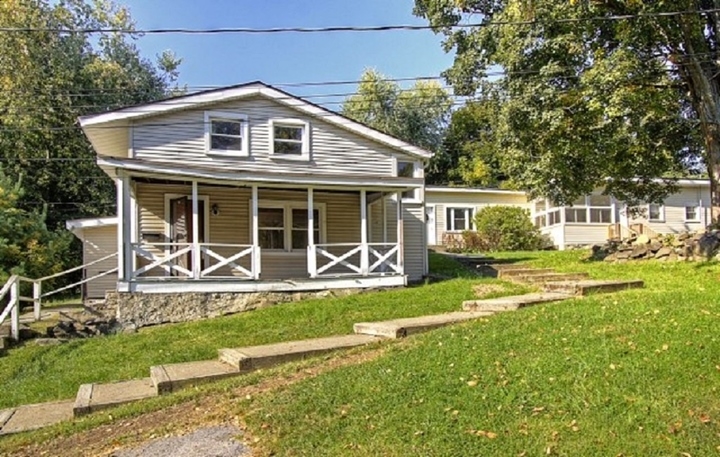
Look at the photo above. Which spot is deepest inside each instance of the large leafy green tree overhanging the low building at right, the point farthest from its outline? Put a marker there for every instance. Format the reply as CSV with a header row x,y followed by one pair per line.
x,y
591,103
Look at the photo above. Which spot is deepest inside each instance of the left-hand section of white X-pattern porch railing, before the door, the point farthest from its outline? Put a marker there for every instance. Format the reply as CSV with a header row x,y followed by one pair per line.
x,y
164,259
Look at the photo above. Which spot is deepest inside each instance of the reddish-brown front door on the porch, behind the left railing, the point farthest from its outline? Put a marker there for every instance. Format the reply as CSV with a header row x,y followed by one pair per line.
x,y
181,229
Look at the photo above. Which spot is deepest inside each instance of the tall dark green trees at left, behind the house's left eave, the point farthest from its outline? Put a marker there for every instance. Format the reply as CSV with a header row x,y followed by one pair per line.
x,y
48,79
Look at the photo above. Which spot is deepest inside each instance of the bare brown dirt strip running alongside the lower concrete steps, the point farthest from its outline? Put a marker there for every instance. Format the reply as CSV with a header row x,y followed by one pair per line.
x,y
215,410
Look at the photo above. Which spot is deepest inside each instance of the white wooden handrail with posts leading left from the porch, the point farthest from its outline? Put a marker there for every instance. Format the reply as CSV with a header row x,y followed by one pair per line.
x,y
12,289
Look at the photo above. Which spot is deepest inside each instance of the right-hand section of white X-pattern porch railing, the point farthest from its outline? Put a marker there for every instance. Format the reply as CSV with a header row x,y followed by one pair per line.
x,y
341,259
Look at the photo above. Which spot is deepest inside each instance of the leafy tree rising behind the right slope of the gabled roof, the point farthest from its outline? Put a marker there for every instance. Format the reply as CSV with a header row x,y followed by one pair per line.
x,y
418,115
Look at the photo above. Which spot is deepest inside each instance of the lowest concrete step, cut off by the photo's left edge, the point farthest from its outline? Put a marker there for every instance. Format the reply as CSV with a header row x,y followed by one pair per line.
x,y
32,417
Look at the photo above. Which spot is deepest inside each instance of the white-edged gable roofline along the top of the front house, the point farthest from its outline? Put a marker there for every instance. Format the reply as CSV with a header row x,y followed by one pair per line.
x,y
256,88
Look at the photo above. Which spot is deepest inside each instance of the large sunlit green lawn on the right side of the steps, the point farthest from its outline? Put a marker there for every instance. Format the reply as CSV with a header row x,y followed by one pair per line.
x,y
634,373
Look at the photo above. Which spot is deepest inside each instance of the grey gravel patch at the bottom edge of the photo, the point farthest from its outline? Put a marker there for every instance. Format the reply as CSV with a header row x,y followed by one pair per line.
x,y
220,441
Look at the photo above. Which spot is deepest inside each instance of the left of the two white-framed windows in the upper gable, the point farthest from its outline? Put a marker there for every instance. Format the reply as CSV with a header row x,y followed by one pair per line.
x,y
226,133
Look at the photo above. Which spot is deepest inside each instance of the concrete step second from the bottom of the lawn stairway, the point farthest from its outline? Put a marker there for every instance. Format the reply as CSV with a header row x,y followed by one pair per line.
x,y
96,397
